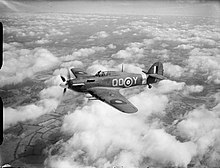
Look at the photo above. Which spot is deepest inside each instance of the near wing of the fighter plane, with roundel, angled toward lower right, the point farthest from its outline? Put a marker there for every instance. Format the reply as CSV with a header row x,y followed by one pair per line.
x,y
113,98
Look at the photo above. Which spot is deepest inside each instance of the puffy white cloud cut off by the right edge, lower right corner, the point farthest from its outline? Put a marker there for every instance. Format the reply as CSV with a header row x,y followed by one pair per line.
x,y
202,127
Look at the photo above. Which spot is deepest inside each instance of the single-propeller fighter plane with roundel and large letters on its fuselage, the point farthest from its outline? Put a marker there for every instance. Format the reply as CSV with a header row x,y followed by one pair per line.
x,y
105,85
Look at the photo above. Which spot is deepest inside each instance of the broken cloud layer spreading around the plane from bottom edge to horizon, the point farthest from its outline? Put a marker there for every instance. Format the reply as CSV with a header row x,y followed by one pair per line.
x,y
178,119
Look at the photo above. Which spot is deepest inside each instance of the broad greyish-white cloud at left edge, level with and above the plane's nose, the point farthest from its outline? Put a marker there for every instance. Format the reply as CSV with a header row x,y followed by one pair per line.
x,y
17,61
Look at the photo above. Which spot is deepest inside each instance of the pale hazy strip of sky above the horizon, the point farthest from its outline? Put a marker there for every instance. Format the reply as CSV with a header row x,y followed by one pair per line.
x,y
183,8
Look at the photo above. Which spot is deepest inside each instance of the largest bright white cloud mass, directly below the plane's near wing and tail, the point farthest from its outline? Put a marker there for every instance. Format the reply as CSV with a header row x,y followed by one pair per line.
x,y
111,138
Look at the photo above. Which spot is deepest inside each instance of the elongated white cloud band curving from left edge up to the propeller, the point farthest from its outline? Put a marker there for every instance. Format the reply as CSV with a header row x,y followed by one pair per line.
x,y
49,100
